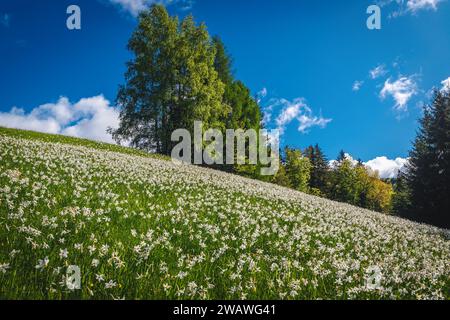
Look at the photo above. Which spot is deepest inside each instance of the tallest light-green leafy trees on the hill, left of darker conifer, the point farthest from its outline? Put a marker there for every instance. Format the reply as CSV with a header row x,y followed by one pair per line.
x,y
170,83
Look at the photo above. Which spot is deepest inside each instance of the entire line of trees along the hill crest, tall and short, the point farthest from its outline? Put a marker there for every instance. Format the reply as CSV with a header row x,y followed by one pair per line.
x,y
180,74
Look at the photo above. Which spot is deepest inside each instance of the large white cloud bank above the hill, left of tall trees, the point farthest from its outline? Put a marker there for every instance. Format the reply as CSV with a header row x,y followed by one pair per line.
x,y
88,118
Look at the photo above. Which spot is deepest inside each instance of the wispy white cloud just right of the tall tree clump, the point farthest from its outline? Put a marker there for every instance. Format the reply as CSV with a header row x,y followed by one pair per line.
x,y
297,110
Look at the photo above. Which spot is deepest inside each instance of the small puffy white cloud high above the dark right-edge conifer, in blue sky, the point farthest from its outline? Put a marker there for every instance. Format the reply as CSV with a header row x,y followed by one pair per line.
x,y
401,91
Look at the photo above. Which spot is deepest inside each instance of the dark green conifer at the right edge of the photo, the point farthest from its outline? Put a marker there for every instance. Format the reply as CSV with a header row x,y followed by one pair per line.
x,y
428,171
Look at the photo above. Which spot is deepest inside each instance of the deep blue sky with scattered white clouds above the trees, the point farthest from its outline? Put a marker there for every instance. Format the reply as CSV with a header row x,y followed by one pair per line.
x,y
322,75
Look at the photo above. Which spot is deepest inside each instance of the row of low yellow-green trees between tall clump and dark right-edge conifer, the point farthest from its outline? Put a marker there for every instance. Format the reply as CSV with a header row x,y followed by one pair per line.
x,y
343,180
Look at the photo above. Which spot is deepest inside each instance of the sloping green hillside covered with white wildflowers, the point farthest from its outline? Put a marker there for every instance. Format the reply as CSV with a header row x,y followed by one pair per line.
x,y
140,227
